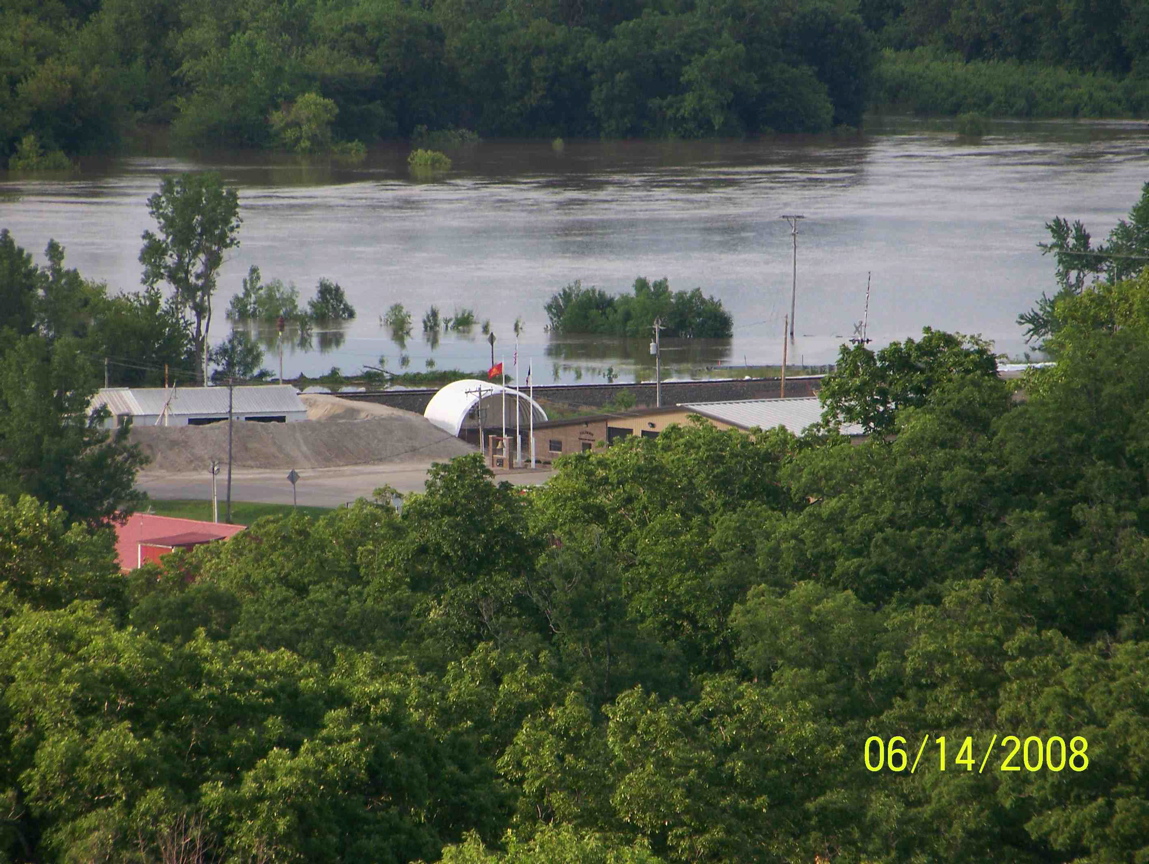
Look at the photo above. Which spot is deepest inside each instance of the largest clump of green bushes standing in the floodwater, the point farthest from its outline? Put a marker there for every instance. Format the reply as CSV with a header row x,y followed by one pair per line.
x,y
576,310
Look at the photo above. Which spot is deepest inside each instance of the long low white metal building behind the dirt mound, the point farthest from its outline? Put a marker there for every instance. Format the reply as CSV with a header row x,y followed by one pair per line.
x,y
199,406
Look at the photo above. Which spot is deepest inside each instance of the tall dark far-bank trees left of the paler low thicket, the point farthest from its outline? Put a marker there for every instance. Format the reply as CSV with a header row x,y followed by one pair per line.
x,y
305,76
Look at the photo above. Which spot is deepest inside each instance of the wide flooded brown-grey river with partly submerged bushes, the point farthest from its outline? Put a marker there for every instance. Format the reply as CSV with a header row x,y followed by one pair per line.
x,y
947,228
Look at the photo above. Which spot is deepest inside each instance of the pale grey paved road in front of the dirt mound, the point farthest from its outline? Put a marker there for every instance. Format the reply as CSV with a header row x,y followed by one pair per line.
x,y
318,488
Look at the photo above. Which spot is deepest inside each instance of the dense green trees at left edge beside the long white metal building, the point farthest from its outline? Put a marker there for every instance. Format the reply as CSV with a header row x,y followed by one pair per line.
x,y
55,328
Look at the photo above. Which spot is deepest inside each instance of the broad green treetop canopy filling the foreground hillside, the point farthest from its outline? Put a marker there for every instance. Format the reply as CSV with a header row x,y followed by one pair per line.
x,y
674,652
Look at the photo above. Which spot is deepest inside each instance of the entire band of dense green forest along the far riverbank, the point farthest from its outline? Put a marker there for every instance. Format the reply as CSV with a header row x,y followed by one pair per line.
x,y
314,76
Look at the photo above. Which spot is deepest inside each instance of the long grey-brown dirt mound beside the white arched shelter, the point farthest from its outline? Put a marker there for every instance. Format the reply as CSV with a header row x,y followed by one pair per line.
x,y
398,437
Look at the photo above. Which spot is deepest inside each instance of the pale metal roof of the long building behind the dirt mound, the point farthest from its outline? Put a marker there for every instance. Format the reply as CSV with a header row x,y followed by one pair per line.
x,y
201,402
